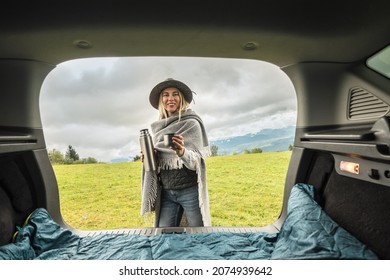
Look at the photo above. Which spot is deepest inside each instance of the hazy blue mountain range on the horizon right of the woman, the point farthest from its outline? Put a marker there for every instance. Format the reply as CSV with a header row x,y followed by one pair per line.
x,y
269,140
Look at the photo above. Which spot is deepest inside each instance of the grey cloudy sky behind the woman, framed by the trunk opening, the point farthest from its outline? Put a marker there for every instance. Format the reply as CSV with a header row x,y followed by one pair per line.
x,y
99,105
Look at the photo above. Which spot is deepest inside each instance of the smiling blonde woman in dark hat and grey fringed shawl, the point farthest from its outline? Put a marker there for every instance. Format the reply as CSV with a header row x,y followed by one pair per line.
x,y
178,195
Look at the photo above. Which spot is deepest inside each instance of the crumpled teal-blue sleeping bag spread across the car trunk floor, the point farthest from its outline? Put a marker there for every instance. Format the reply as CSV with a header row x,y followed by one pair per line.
x,y
307,233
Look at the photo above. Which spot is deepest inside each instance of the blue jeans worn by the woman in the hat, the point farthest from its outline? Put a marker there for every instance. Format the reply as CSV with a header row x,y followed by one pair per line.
x,y
174,202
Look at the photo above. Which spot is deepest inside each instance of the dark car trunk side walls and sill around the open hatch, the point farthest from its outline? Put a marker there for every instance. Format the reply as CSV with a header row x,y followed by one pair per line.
x,y
357,201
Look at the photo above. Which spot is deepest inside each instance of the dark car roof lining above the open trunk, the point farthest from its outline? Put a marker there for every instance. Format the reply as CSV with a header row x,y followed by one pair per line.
x,y
188,28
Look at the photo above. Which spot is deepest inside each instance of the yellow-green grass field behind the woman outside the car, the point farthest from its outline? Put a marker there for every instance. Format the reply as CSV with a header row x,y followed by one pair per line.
x,y
245,190
